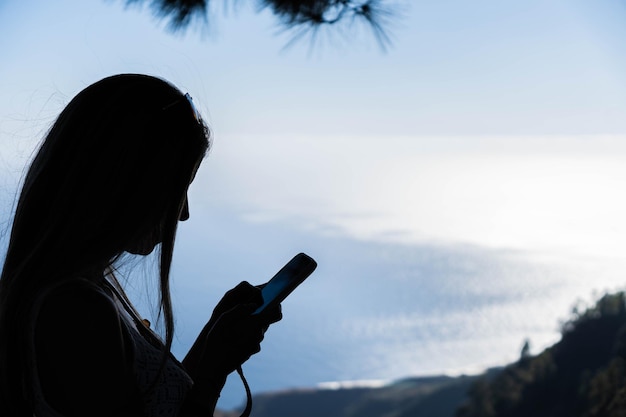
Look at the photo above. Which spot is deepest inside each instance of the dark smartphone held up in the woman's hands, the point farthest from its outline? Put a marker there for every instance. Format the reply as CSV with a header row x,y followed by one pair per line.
x,y
286,280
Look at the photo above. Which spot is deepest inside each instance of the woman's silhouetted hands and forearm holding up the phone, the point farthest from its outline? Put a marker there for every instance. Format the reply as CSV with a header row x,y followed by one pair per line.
x,y
231,336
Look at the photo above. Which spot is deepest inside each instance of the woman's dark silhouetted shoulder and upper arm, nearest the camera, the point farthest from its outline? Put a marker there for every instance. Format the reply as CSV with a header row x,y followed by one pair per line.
x,y
83,352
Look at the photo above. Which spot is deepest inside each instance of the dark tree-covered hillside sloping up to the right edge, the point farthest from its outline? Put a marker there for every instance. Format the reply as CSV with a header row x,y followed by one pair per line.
x,y
583,375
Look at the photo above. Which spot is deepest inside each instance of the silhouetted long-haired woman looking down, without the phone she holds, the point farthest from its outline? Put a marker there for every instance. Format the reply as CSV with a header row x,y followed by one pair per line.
x,y
110,178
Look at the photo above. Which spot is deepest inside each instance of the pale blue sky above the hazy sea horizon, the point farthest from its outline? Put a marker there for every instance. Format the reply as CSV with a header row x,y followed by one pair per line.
x,y
455,68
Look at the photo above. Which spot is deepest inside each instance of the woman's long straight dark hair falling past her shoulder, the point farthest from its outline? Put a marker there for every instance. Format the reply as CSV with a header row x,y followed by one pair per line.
x,y
113,169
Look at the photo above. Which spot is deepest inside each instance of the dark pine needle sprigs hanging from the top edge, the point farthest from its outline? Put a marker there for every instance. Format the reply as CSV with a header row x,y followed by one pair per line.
x,y
301,17
